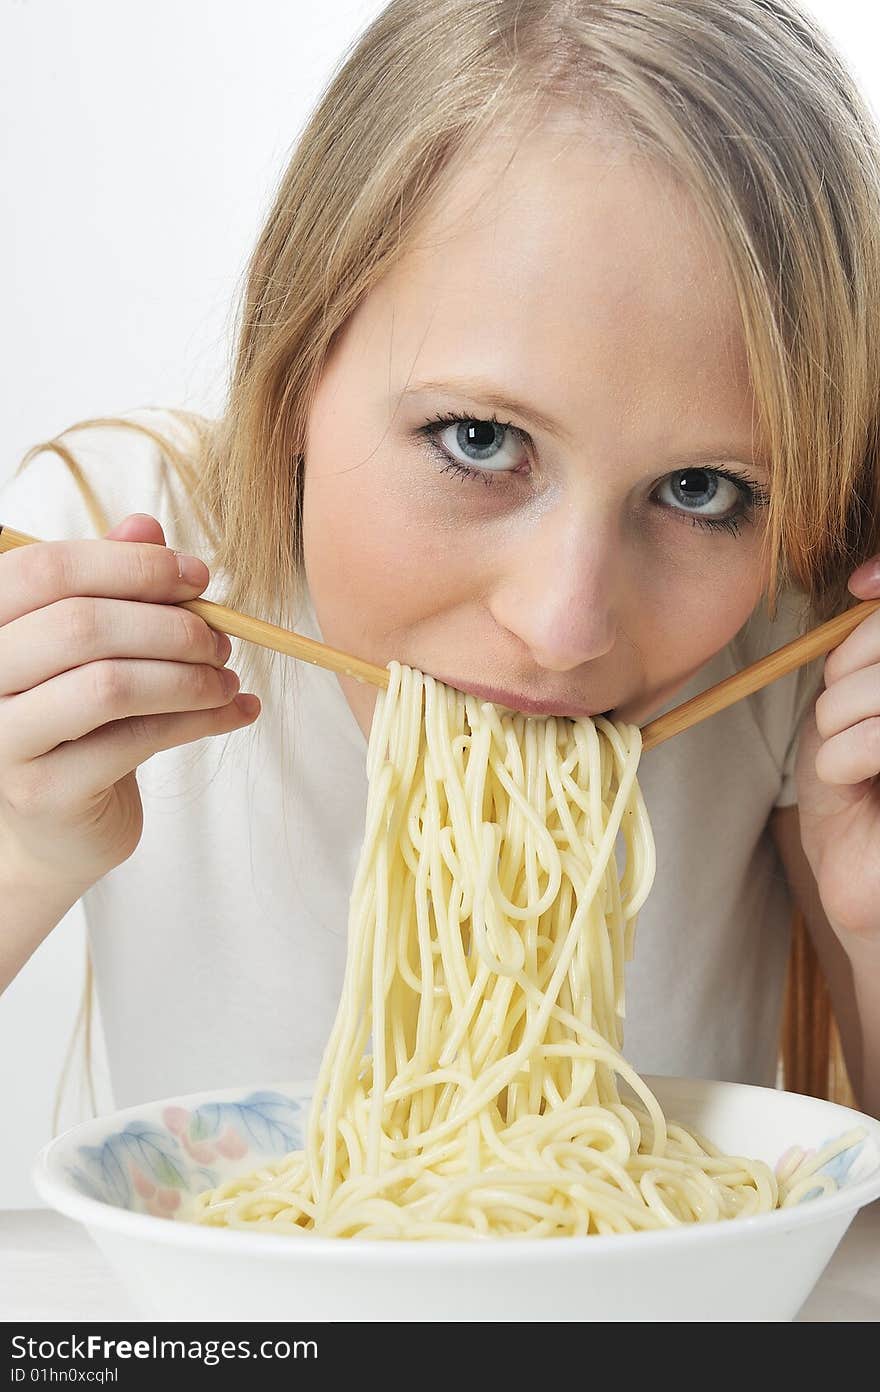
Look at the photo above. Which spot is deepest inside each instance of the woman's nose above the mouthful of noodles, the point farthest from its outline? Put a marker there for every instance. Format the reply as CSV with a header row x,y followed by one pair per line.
x,y
558,591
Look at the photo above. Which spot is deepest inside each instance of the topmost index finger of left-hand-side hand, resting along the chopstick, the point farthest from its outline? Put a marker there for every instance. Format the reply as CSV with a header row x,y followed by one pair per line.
x,y
44,573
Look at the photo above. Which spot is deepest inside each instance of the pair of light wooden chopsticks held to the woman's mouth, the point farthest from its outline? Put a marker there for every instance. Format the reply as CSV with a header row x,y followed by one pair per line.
x,y
786,659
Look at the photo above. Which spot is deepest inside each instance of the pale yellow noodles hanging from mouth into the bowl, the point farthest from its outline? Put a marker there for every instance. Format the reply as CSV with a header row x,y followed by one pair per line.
x,y
489,926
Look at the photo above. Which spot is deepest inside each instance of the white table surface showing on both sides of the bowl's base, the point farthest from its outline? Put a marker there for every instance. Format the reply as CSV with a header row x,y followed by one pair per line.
x,y
52,1270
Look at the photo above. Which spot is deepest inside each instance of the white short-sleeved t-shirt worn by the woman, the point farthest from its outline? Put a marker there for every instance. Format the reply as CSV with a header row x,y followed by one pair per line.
x,y
219,946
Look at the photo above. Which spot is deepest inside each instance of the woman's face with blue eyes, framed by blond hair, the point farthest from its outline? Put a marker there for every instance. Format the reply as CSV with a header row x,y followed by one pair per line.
x,y
562,557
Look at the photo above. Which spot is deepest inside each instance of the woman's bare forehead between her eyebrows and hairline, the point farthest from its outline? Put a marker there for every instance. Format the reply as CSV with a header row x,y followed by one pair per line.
x,y
572,274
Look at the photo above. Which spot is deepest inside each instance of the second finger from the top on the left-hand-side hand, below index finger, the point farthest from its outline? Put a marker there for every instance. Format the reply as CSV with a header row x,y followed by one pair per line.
x,y
55,640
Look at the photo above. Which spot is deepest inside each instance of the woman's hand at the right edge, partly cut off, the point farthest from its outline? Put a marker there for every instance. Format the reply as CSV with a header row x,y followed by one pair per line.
x,y
839,776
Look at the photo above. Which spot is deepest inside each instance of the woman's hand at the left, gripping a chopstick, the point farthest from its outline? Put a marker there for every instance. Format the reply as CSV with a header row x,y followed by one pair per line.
x,y
100,670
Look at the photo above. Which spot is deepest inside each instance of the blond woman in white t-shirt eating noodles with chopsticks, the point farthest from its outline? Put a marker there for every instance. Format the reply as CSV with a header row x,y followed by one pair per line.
x,y
558,379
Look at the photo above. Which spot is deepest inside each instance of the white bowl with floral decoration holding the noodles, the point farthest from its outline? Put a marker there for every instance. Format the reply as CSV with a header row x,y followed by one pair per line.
x,y
125,1176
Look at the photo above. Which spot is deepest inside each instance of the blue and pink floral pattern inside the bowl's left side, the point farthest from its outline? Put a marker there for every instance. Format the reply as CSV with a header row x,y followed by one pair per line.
x,y
151,1166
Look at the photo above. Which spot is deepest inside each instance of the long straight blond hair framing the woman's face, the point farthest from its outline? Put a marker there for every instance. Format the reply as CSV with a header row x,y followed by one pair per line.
x,y
746,102
